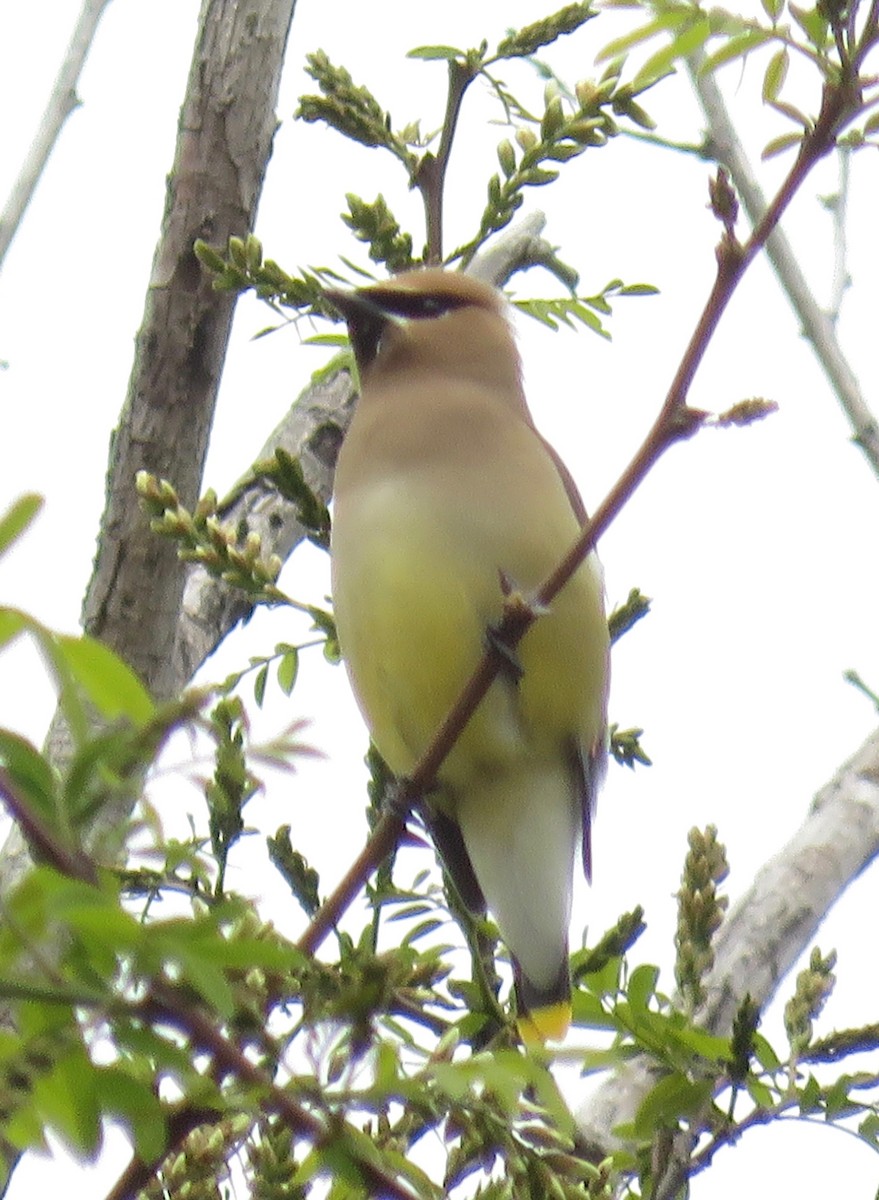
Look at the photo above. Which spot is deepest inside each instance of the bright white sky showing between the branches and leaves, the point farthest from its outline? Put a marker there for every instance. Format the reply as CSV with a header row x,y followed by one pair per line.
x,y
757,545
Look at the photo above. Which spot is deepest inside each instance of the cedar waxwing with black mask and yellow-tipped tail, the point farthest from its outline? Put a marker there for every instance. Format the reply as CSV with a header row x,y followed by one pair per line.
x,y
444,490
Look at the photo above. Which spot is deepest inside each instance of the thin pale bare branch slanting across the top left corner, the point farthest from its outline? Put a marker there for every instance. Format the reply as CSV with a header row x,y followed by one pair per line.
x,y
63,100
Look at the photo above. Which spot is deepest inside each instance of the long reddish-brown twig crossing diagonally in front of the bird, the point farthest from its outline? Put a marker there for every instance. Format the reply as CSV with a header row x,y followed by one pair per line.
x,y
674,423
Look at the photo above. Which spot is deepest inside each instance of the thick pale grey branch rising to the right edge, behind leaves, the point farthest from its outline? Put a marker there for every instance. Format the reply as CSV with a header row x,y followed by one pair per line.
x,y
770,927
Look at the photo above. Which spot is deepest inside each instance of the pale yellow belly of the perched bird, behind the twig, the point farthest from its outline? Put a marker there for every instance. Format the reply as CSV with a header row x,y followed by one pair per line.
x,y
418,591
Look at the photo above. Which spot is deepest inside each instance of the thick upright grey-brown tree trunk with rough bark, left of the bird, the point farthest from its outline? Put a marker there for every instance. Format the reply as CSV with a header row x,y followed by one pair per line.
x,y
224,145
